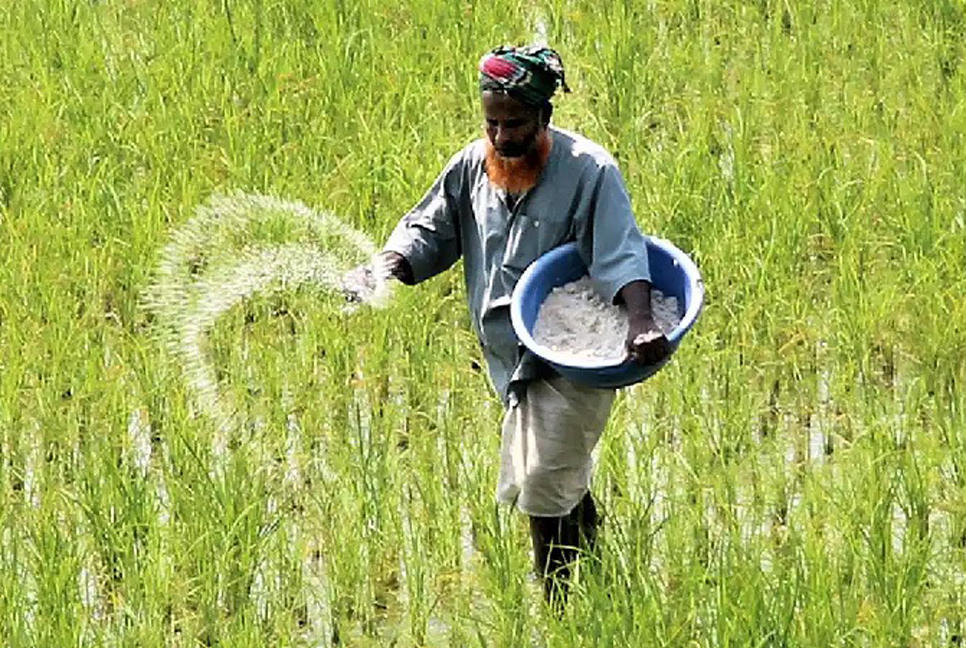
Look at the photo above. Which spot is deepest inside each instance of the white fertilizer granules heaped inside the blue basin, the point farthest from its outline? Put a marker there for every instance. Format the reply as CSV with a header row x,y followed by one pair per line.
x,y
576,323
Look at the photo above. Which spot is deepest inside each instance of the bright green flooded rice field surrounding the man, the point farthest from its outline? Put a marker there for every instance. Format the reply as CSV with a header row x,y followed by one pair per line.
x,y
794,477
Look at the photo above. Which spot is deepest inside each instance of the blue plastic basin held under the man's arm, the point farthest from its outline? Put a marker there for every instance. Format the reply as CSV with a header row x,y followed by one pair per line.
x,y
672,272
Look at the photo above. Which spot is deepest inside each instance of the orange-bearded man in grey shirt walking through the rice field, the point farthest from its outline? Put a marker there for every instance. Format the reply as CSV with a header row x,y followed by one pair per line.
x,y
500,203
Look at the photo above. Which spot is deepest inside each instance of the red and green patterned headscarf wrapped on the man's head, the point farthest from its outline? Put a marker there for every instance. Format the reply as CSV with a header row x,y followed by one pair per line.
x,y
530,74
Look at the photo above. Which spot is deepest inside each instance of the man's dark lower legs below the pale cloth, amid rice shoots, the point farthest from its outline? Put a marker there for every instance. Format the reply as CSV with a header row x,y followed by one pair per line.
x,y
557,542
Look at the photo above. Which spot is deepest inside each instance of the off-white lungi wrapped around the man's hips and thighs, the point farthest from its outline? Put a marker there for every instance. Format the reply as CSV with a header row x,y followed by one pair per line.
x,y
548,437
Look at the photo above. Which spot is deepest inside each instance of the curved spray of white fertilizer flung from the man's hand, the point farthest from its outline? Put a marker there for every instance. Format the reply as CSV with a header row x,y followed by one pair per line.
x,y
215,261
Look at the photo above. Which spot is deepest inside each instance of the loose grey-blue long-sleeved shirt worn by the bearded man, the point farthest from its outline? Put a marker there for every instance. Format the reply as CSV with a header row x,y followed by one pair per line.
x,y
580,197
